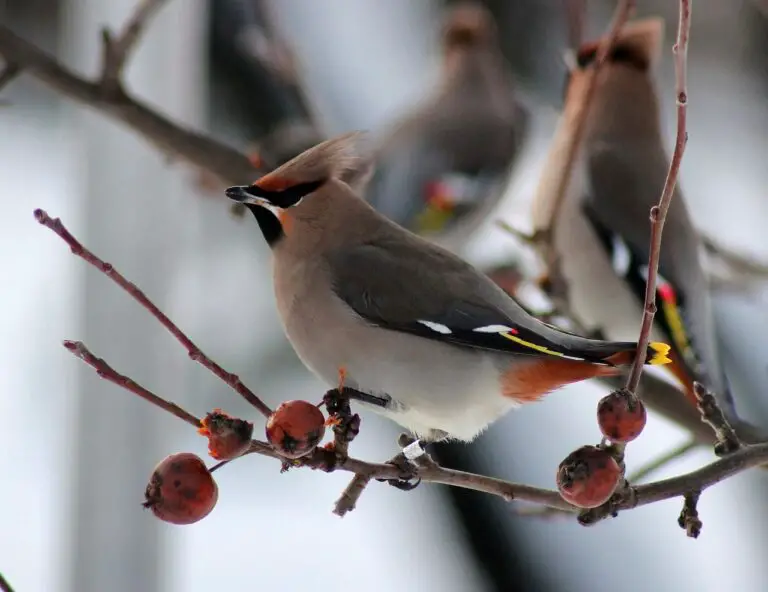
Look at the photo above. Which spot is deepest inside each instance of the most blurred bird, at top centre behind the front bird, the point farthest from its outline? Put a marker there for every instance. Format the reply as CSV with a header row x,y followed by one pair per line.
x,y
442,160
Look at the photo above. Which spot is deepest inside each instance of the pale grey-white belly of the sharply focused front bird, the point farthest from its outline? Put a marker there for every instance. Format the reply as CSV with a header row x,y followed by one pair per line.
x,y
433,386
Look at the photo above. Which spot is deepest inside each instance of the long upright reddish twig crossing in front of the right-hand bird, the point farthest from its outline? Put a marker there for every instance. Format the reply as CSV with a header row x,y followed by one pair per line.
x,y
659,212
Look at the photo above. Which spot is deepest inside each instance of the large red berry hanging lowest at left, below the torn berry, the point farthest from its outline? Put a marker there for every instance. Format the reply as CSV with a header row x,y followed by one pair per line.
x,y
181,489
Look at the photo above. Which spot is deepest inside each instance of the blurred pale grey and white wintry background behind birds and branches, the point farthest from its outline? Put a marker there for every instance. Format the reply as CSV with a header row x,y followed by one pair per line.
x,y
79,451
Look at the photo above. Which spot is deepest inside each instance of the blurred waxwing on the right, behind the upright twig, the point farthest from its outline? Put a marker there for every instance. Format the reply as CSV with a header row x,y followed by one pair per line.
x,y
601,231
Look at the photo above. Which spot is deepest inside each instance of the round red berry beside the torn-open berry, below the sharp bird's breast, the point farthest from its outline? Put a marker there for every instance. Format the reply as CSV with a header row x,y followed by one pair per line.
x,y
295,428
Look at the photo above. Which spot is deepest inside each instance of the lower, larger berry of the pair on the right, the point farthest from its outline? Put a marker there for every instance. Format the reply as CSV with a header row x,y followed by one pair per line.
x,y
588,477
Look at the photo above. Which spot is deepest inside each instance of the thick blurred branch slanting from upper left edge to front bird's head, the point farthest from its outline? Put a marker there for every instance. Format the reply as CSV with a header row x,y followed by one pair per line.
x,y
202,151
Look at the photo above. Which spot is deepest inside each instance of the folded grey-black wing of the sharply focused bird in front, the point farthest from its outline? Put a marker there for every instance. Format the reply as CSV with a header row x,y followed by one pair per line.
x,y
434,295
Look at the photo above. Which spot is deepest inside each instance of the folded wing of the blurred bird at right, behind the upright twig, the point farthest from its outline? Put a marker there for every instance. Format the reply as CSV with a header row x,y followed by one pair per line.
x,y
623,186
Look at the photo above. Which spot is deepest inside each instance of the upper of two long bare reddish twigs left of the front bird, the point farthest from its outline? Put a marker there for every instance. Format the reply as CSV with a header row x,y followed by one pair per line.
x,y
194,352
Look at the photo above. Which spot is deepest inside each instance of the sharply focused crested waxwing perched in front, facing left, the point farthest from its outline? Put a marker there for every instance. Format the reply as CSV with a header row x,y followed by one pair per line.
x,y
442,348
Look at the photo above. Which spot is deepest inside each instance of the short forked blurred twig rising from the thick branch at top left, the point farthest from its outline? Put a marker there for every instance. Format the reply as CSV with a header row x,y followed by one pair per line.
x,y
117,49
